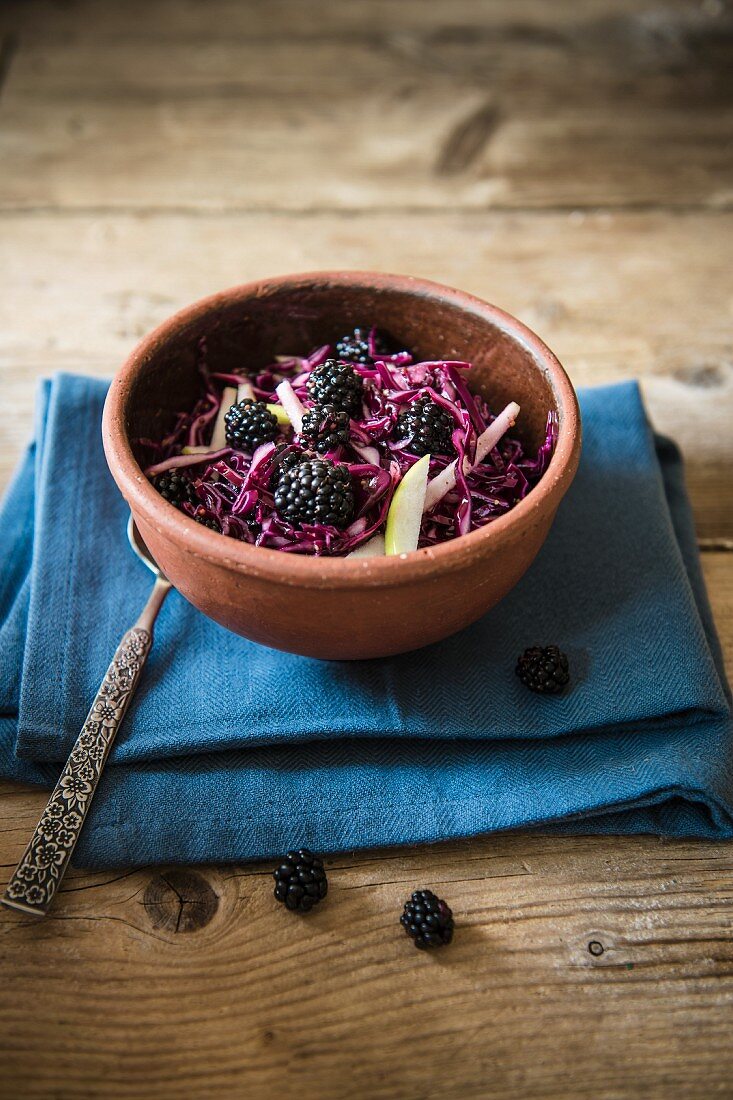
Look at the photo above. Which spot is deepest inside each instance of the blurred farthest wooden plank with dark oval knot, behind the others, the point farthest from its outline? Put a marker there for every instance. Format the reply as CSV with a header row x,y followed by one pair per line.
x,y
376,117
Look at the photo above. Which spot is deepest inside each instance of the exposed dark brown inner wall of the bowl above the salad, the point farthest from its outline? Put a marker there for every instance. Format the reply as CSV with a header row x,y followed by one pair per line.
x,y
247,331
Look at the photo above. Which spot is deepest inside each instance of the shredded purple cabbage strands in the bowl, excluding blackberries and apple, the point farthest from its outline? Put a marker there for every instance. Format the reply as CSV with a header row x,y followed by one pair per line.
x,y
234,490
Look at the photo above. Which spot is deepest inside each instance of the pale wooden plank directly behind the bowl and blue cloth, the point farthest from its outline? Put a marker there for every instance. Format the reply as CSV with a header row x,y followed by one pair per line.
x,y
617,295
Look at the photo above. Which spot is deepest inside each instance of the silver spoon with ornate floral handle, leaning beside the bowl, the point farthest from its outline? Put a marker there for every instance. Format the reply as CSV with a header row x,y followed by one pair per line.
x,y
43,864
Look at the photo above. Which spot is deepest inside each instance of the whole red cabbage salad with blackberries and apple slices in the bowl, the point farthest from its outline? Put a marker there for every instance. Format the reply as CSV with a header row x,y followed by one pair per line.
x,y
308,455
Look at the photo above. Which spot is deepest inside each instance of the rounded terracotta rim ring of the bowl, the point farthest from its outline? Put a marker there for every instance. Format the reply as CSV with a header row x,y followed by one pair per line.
x,y
302,570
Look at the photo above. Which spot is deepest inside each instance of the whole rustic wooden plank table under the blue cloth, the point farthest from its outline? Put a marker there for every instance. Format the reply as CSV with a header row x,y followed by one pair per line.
x,y
568,161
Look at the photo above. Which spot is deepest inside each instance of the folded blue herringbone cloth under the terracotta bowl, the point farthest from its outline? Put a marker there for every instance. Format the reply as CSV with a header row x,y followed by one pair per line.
x,y
232,751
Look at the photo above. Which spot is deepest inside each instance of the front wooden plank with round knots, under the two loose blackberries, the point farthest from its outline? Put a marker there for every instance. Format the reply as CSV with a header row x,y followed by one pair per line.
x,y
597,967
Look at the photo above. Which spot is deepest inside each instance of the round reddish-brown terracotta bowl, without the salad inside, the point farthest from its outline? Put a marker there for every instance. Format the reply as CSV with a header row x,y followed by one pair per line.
x,y
334,608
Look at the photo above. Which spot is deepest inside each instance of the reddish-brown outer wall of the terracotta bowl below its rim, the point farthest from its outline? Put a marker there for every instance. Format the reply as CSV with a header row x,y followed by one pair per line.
x,y
355,623
